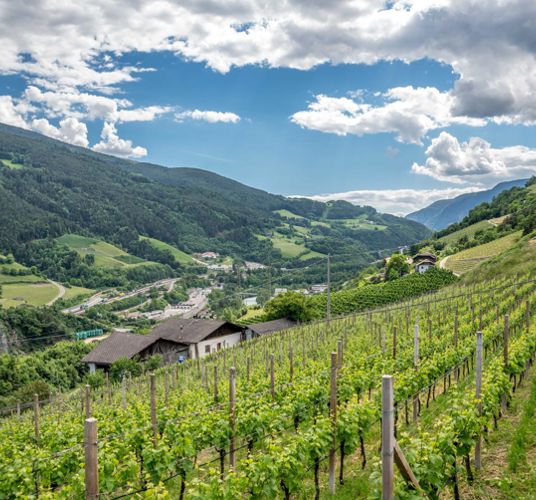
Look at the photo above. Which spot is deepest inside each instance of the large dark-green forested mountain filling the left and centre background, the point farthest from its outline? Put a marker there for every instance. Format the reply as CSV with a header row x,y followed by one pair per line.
x,y
49,189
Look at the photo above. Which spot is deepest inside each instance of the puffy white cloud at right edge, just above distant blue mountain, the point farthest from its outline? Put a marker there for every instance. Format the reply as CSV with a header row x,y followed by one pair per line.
x,y
475,161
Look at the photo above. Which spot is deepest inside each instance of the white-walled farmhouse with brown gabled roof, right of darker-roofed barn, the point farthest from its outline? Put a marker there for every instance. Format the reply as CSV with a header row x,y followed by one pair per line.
x,y
199,337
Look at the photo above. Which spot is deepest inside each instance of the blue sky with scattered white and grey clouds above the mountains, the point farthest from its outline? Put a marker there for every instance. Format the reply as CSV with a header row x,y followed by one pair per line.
x,y
393,104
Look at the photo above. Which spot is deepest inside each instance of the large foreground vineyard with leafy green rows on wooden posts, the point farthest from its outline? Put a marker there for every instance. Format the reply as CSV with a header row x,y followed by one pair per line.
x,y
290,415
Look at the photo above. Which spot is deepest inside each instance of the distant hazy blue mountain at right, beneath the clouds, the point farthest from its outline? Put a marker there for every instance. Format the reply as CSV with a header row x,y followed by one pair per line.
x,y
442,213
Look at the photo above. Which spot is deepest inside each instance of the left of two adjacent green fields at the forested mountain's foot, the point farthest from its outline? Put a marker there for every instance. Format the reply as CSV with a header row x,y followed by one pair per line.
x,y
106,255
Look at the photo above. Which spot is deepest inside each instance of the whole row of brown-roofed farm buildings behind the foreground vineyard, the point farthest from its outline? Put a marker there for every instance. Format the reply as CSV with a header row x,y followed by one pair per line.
x,y
177,340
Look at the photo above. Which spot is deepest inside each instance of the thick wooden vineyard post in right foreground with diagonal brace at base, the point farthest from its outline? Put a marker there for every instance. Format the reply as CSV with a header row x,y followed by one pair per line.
x,y
388,438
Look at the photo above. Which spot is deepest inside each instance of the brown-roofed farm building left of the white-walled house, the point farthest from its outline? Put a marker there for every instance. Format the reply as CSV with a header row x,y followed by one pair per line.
x,y
121,345
